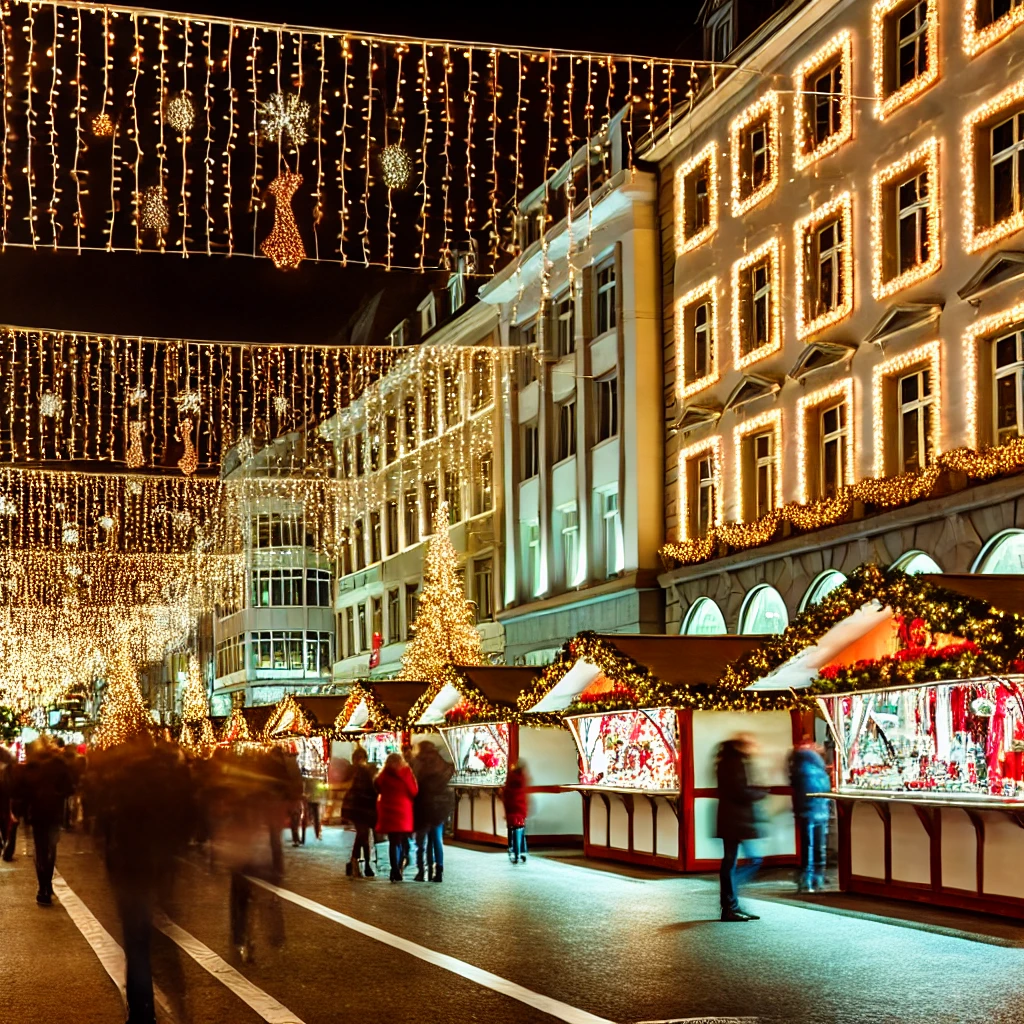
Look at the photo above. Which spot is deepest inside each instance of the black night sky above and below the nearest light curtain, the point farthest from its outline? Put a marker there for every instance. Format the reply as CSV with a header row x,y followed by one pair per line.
x,y
244,300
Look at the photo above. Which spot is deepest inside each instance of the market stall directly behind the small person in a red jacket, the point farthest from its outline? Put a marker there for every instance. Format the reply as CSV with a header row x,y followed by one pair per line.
x,y
476,711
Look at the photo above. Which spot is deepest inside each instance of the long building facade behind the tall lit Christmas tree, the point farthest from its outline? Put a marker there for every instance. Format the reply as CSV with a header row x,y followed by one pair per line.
x,y
428,432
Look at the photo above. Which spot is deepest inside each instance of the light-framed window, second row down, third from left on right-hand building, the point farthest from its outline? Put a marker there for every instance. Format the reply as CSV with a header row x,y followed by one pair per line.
x,y
825,267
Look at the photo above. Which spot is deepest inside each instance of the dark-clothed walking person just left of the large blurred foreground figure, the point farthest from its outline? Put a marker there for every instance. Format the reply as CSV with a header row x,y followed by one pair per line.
x,y
41,787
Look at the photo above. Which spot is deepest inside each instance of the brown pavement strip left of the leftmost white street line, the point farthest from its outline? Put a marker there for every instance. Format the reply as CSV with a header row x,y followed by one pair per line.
x,y
50,973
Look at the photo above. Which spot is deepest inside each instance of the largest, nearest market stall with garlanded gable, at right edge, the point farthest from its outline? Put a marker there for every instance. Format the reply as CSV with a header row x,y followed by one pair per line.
x,y
920,681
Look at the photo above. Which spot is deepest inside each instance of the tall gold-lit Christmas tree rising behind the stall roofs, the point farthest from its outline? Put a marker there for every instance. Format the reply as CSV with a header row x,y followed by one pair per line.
x,y
444,632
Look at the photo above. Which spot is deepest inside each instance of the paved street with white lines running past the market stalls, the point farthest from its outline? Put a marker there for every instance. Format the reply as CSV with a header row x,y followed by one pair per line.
x,y
551,941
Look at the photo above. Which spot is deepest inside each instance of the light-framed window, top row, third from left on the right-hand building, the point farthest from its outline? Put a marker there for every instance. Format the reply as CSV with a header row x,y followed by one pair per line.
x,y
824,118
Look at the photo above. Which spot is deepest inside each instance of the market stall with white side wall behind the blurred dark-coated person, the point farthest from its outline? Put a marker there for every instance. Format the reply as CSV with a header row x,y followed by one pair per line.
x,y
648,723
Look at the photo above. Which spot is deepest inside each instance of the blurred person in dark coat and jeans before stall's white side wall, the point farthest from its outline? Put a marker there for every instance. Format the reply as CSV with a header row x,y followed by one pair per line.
x,y
739,822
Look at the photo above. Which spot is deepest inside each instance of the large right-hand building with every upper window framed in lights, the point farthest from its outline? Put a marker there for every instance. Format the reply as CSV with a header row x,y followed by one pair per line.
x,y
841,225
